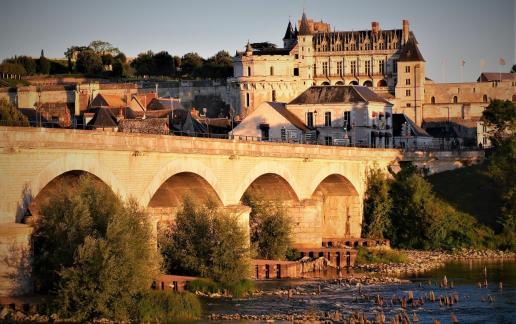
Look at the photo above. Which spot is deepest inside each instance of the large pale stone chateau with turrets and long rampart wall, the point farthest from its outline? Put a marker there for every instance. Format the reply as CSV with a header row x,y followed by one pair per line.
x,y
388,61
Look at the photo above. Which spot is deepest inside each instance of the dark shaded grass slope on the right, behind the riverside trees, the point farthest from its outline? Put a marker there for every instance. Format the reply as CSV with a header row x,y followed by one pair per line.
x,y
470,190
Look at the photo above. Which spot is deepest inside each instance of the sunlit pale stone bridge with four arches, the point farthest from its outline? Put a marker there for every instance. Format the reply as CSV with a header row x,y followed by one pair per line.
x,y
322,186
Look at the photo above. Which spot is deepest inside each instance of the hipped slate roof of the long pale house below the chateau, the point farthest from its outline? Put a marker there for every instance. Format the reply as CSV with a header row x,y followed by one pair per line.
x,y
337,94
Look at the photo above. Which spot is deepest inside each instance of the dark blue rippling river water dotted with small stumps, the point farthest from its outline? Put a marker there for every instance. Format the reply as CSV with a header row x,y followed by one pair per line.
x,y
476,305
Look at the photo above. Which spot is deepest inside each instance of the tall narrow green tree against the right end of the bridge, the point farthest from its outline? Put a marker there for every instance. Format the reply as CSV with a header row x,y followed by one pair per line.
x,y
377,205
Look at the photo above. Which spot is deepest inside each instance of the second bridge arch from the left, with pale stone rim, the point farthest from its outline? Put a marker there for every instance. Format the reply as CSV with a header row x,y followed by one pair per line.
x,y
182,170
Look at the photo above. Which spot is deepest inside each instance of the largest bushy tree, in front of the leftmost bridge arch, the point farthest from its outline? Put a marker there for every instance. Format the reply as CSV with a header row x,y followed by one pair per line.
x,y
93,252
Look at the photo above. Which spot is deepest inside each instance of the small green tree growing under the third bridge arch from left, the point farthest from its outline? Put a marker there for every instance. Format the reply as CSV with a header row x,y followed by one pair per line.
x,y
270,227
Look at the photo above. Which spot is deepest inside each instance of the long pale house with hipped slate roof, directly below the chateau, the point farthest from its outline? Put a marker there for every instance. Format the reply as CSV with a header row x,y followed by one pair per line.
x,y
345,115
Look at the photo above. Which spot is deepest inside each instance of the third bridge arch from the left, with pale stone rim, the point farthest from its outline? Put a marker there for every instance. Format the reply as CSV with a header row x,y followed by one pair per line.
x,y
270,174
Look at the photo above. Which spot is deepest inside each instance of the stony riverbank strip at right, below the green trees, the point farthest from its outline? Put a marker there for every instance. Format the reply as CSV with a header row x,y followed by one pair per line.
x,y
423,261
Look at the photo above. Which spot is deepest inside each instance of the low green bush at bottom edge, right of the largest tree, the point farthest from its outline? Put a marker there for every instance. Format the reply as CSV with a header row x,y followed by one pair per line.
x,y
166,307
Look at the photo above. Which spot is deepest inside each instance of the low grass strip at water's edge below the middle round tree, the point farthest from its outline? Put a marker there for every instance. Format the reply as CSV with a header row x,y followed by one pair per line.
x,y
207,286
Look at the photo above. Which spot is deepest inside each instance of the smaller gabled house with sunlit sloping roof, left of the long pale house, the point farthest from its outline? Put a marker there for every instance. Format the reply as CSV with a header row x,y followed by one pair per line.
x,y
272,121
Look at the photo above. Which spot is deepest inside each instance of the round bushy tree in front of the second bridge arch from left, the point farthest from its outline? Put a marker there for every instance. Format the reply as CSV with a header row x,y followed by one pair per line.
x,y
207,242
